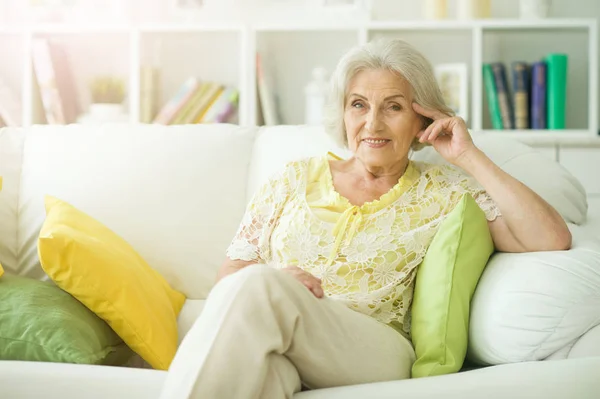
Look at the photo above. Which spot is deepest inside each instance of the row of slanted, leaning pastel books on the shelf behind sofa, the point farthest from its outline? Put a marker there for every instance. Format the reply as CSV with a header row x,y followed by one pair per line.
x,y
199,102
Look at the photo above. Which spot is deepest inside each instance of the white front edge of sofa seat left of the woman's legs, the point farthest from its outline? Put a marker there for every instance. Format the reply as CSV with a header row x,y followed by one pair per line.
x,y
21,380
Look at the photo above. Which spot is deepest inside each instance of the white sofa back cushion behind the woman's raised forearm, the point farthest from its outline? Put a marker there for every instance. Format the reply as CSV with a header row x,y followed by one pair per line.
x,y
546,177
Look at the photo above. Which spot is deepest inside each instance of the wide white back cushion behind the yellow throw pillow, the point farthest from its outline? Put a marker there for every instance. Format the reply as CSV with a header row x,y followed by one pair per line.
x,y
176,194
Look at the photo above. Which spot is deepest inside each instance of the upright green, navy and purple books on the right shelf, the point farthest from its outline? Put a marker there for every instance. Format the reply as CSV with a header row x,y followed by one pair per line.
x,y
538,96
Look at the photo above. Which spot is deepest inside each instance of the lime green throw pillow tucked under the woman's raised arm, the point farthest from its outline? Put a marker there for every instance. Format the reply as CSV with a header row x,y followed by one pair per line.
x,y
446,281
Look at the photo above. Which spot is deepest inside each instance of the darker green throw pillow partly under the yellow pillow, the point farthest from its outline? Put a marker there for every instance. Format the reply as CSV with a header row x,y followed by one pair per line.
x,y
41,322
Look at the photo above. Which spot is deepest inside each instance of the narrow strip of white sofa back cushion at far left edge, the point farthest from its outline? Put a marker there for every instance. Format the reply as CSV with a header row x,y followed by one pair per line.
x,y
11,153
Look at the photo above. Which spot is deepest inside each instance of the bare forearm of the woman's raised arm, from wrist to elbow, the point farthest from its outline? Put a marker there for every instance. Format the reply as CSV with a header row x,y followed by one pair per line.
x,y
532,221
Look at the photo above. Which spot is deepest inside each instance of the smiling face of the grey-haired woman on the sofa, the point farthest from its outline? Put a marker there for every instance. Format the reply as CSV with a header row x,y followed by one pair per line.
x,y
379,118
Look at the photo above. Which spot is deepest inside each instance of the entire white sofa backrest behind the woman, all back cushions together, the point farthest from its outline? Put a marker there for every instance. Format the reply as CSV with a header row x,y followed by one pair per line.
x,y
177,194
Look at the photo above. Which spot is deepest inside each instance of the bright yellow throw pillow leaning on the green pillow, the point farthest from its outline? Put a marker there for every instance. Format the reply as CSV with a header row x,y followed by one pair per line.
x,y
101,270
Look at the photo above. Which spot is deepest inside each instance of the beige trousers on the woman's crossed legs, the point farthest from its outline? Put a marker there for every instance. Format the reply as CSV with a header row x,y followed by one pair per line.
x,y
262,332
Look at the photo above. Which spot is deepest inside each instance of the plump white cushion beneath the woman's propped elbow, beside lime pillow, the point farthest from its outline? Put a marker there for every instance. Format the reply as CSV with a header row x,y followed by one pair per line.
x,y
529,306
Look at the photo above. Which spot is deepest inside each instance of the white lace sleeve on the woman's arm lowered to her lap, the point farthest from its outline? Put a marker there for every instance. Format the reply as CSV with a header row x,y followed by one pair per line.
x,y
251,242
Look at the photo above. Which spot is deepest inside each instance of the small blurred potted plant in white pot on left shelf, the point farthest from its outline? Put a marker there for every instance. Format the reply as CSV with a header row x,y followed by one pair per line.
x,y
108,93
